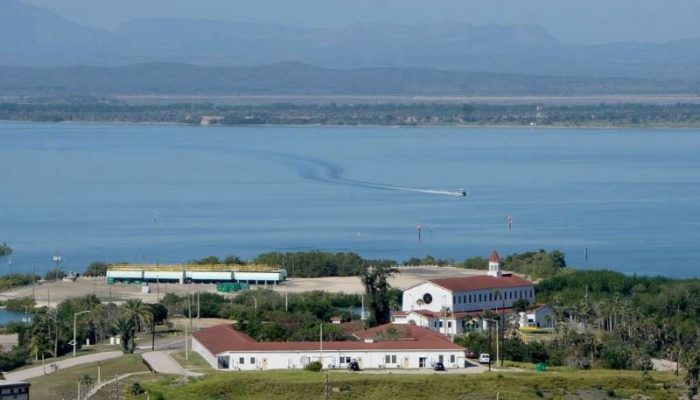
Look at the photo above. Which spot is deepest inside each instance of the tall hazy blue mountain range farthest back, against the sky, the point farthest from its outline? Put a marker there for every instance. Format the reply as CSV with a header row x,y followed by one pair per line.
x,y
31,36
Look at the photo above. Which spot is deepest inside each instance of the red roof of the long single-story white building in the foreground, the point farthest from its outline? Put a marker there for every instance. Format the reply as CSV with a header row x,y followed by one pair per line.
x,y
222,338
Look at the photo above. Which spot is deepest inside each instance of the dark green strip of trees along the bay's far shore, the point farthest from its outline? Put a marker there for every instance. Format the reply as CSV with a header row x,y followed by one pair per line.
x,y
679,115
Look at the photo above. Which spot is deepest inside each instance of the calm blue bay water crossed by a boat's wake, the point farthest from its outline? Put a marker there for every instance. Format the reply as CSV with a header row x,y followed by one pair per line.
x,y
147,193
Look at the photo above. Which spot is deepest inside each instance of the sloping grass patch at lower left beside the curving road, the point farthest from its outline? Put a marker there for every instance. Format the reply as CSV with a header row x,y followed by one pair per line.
x,y
64,382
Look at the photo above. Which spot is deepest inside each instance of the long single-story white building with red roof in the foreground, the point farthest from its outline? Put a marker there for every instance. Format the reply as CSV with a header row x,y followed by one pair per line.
x,y
386,346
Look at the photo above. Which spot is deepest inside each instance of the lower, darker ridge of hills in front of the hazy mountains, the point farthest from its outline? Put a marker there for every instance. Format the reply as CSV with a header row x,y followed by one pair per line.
x,y
301,79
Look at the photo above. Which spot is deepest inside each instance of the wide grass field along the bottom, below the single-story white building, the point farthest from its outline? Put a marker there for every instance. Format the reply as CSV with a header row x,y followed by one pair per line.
x,y
296,385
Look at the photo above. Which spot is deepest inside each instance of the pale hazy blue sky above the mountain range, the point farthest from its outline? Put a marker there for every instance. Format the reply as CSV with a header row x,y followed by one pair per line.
x,y
584,21
